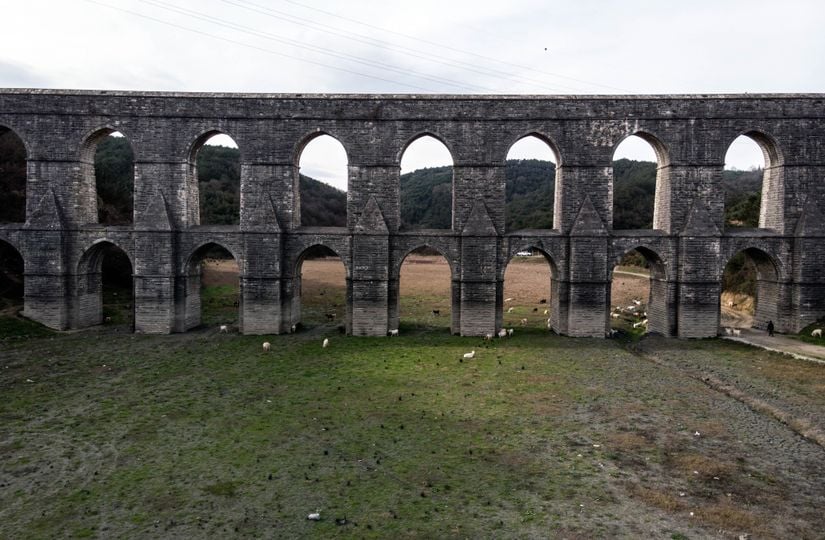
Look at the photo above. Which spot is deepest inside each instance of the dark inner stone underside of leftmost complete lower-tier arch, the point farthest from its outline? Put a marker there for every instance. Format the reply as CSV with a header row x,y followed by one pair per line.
x,y
89,282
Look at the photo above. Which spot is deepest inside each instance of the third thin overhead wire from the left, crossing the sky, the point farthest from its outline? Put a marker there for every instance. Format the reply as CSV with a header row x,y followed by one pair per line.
x,y
415,53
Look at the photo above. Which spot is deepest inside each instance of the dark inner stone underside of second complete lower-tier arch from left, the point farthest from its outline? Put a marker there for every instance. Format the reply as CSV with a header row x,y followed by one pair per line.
x,y
191,286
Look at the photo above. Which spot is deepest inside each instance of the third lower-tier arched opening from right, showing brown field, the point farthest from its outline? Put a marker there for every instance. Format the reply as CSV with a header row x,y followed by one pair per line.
x,y
530,291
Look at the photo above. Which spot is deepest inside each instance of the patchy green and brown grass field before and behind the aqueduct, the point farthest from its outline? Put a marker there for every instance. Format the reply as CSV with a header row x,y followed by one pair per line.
x,y
105,434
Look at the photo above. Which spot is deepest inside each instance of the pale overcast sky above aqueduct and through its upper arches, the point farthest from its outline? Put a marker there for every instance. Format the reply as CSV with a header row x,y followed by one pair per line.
x,y
432,46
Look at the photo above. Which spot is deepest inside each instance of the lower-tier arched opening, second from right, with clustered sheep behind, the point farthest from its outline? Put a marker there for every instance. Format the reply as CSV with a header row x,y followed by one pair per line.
x,y
639,294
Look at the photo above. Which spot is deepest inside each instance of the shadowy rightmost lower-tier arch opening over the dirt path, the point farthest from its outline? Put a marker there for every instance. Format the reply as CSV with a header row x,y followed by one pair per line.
x,y
765,287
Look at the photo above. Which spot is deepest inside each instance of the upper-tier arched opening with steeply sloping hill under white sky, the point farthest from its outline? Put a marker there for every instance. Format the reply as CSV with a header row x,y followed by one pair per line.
x,y
323,175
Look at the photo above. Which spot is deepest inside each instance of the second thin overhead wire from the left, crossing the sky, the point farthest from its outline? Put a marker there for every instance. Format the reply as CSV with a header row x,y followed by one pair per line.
x,y
314,48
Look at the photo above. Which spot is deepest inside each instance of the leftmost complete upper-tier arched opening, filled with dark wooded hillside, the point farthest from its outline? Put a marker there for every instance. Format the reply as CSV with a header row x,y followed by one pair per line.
x,y
99,186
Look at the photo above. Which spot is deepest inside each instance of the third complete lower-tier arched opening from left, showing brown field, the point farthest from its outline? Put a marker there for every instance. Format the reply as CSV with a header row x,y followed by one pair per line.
x,y
320,289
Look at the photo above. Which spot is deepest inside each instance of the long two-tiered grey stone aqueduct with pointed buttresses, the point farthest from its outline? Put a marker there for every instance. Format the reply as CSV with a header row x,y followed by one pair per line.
x,y
688,246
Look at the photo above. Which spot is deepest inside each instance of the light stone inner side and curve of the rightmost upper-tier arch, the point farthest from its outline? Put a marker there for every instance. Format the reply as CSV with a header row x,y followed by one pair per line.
x,y
772,194
